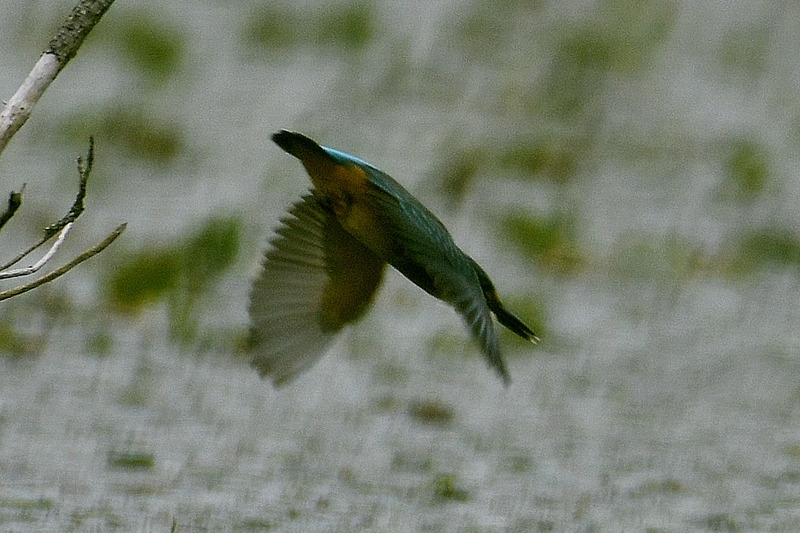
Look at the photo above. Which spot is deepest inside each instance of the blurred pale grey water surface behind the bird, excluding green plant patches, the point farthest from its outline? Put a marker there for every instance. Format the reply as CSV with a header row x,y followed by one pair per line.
x,y
664,395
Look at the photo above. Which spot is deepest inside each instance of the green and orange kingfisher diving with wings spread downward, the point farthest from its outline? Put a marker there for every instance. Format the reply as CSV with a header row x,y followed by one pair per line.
x,y
327,258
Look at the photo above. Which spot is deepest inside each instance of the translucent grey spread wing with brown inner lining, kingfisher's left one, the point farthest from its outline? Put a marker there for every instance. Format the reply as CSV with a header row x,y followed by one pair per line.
x,y
315,279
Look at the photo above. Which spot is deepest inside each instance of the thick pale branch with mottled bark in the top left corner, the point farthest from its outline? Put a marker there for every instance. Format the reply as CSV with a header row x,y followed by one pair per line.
x,y
62,48
